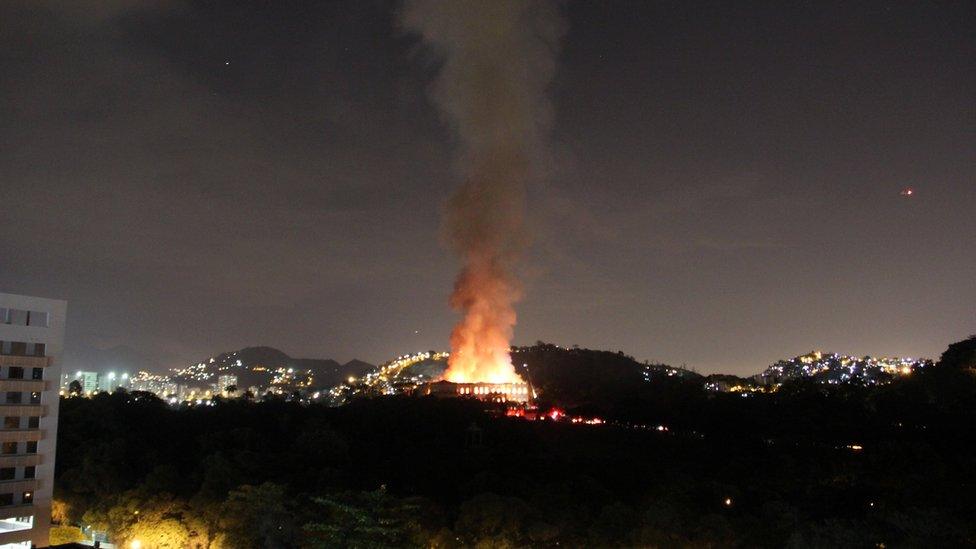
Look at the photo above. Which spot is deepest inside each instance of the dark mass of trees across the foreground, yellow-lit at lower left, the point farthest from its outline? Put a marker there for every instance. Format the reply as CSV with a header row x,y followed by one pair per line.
x,y
809,465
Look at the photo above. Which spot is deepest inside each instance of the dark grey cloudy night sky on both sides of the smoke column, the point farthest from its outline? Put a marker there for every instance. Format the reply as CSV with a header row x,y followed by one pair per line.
x,y
195,177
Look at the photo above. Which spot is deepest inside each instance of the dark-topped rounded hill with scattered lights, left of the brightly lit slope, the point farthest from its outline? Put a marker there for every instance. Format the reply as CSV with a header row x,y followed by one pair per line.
x,y
266,366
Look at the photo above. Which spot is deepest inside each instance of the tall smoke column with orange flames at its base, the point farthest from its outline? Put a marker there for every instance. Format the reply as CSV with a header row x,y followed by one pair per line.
x,y
498,57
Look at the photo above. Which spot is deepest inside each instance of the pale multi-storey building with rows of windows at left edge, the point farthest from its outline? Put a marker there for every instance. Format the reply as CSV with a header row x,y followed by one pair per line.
x,y
31,342
